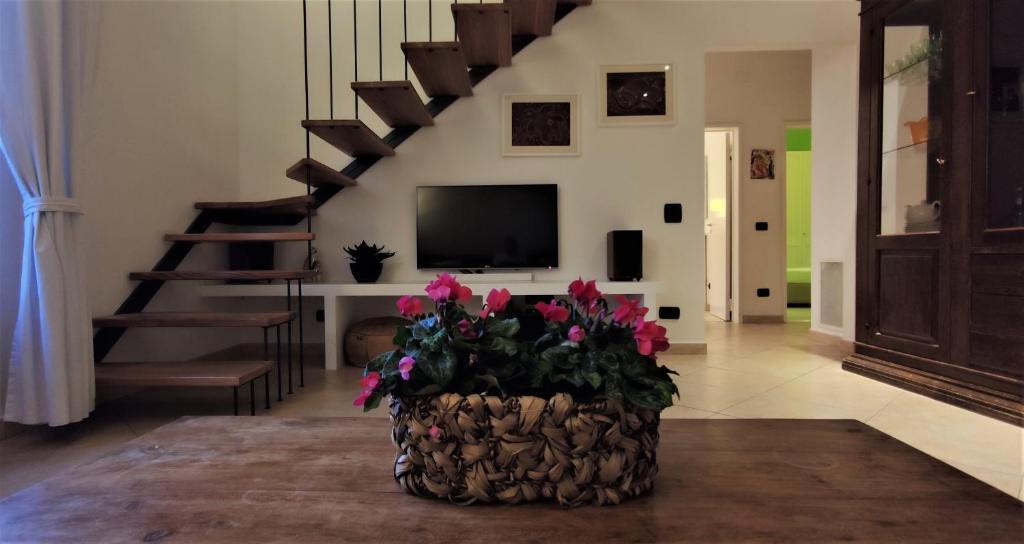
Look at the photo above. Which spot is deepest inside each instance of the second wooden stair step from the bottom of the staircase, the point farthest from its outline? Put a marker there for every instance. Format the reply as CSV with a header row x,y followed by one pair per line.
x,y
194,319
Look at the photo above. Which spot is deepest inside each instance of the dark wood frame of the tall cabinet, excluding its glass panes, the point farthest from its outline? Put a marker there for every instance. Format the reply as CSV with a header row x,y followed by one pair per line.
x,y
923,300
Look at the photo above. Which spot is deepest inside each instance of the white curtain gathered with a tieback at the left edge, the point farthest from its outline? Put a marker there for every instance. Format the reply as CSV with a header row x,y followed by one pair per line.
x,y
51,372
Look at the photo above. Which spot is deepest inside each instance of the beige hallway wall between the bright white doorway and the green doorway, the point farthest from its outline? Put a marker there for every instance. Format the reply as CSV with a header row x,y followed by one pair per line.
x,y
760,93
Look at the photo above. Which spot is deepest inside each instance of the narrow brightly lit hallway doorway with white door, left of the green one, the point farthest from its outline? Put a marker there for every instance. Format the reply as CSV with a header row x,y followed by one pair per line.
x,y
719,176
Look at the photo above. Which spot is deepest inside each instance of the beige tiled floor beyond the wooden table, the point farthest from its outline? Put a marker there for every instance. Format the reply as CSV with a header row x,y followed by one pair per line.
x,y
751,371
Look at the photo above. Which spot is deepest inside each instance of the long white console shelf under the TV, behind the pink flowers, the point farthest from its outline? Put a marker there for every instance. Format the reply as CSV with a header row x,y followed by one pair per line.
x,y
336,315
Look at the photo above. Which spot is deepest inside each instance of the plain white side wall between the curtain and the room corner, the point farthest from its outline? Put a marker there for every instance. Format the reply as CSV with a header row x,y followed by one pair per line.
x,y
157,131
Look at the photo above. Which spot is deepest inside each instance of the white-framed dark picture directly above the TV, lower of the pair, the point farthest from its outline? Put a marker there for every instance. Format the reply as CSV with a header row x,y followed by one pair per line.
x,y
540,125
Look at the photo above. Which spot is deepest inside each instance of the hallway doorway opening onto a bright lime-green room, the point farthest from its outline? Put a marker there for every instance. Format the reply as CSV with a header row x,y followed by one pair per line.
x,y
798,223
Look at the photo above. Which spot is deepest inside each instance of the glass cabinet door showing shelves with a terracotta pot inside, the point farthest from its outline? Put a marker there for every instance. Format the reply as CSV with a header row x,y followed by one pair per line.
x,y
912,121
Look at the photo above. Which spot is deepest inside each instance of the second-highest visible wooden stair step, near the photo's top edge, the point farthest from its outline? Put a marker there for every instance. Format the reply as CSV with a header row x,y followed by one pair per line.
x,y
486,33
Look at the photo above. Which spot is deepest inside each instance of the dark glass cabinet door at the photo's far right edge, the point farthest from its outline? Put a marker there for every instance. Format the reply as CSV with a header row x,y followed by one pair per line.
x,y
1006,115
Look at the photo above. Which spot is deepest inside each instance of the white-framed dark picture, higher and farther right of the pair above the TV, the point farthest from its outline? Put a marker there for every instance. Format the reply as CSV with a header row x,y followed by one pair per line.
x,y
637,95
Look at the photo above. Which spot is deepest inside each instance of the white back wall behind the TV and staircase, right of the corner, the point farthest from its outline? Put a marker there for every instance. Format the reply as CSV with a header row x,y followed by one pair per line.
x,y
621,181
